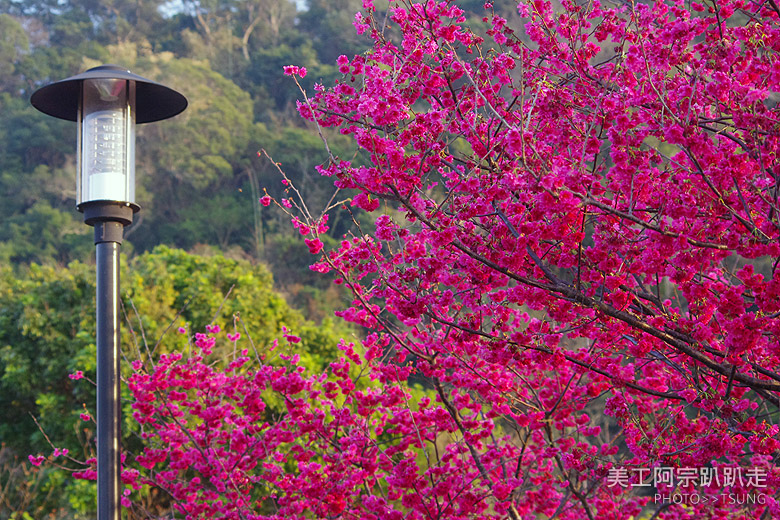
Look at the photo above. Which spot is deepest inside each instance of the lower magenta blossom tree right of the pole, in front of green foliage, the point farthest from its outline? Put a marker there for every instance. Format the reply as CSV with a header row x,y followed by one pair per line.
x,y
260,440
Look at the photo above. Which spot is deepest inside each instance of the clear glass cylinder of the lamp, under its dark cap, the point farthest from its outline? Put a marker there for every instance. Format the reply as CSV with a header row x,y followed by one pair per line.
x,y
106,141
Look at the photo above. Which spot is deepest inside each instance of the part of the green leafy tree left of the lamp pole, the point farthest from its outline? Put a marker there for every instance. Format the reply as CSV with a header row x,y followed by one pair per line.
x,y
45,325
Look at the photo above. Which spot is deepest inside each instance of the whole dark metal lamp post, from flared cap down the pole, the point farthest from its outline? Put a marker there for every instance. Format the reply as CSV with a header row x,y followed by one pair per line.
x,y
107,102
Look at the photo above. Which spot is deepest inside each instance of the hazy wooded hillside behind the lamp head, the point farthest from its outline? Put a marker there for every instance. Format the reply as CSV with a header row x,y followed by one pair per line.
x,y
198,174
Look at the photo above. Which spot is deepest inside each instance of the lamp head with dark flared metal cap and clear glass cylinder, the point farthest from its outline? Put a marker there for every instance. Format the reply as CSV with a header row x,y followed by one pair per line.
x,y
107,102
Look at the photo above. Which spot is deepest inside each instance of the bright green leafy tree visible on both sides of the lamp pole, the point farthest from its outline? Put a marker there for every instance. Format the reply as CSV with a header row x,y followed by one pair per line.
x,y
47,329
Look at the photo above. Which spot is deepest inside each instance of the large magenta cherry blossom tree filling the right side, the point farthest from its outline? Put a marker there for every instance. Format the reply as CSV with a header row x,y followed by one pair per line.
x,y
579,216
